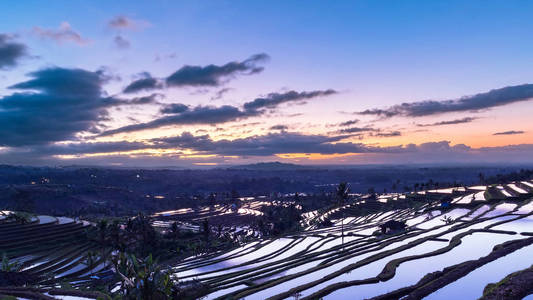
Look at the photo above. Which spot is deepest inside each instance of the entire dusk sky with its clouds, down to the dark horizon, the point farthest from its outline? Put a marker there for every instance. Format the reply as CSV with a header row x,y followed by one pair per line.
x,y
214,83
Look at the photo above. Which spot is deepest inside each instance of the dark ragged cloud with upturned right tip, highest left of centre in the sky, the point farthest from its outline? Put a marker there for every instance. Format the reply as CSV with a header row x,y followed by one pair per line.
x,y
213,75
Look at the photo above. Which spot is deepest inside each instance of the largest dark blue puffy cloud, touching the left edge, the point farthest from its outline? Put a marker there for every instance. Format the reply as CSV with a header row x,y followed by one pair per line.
x,y
55,105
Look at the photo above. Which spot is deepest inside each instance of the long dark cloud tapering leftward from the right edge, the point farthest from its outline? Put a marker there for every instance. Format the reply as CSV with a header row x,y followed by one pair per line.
x,y
481,101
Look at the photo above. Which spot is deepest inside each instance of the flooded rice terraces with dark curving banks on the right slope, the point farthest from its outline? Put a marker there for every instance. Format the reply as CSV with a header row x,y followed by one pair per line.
x,y
364,263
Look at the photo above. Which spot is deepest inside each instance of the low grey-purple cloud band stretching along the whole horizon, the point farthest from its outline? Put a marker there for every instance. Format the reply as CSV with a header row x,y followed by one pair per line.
x,y
262,146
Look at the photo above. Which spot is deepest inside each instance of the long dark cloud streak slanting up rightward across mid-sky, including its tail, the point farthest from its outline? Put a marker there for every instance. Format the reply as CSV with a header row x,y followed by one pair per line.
x,y
216,115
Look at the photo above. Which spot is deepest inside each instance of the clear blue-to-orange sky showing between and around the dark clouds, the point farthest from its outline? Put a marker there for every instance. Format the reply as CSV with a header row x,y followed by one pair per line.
x,y
374,54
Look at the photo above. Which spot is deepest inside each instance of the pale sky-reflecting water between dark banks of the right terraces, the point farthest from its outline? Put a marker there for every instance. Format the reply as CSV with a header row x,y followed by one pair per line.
x,y
408,273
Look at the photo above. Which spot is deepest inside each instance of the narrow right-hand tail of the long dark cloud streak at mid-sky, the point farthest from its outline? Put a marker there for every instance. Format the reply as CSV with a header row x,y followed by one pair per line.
x,y
274,99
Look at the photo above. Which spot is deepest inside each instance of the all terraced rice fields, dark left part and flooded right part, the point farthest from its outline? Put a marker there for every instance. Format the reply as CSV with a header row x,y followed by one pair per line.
x,y
455,242
